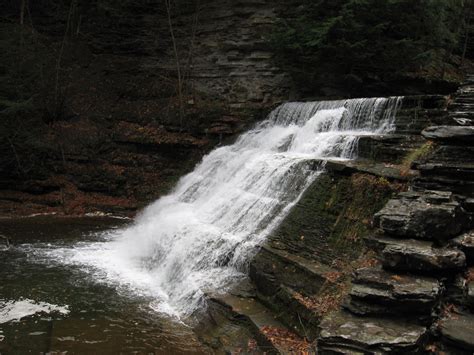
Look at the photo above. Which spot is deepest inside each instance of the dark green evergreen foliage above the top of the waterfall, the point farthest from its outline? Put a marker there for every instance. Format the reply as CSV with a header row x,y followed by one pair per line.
x,y
367,37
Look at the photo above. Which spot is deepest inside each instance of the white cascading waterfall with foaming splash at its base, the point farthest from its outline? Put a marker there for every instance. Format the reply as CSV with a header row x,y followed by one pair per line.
x,y
201,236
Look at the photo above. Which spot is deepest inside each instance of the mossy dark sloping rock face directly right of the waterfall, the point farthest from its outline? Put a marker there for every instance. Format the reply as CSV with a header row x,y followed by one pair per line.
x,y
333,216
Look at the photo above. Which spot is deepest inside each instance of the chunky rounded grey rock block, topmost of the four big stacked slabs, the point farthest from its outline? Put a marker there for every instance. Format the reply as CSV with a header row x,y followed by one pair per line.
x,y
427,215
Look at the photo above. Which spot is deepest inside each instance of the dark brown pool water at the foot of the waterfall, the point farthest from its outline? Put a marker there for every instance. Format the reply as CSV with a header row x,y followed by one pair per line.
x,y
102,319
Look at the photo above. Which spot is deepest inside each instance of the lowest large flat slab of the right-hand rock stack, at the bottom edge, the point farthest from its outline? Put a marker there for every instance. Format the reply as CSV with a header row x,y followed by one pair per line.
x,y
368,335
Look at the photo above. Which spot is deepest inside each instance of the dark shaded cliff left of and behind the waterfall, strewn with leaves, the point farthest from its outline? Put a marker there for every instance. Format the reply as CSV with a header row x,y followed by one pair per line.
x,y
117,134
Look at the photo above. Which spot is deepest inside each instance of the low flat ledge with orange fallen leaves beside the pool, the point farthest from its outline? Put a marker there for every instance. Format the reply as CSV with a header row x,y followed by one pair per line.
x,y
263,324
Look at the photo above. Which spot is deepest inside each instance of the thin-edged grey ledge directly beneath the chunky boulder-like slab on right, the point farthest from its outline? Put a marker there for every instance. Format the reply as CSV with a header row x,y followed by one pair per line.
x,y
416,256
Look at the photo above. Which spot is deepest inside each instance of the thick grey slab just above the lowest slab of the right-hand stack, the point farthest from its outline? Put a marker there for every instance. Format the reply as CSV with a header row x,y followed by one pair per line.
x,y
376,291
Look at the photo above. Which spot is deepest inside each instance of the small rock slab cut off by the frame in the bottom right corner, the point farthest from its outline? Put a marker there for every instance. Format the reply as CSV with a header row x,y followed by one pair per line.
x,y
458,330
